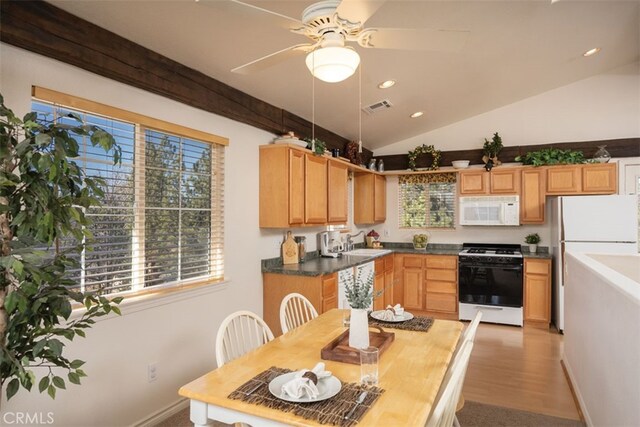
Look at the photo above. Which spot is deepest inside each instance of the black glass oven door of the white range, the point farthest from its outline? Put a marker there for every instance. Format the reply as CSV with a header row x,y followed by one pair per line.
x,y
490,284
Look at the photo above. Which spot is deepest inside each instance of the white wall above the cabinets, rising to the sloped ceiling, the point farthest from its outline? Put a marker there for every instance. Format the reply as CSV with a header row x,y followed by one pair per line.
x,y
606,106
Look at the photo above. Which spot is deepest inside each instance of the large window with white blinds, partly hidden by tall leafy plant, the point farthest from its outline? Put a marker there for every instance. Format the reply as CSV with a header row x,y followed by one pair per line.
x,y
161,221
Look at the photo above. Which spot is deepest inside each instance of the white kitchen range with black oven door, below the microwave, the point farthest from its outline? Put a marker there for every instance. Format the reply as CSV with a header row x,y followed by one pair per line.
x,y
490,280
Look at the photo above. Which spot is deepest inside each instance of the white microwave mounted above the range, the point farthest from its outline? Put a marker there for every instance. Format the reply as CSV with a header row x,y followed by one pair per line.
x,y
489,210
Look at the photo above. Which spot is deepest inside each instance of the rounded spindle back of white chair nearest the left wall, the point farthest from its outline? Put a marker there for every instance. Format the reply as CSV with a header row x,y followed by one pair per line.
x,y
240,333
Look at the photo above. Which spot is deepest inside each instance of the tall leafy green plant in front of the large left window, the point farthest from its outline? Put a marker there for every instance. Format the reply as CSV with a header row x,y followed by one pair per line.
x,y
43,198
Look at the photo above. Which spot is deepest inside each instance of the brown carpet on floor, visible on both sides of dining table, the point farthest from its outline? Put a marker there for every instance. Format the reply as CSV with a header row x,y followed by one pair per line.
x,y
473,414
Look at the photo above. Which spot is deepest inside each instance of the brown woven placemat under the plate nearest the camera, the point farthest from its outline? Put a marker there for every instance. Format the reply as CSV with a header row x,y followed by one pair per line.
x,y
330,411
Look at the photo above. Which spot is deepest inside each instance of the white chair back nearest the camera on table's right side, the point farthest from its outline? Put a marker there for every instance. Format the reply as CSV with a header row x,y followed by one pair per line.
x,y
444,409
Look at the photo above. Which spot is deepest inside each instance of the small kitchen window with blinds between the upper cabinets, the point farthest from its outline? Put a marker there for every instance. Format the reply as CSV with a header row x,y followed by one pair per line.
x,y
427,200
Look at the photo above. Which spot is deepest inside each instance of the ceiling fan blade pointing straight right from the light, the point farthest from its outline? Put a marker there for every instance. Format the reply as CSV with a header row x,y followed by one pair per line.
x,y
414,39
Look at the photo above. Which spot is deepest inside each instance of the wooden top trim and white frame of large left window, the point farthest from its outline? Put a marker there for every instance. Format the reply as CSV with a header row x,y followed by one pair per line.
x,y
141,124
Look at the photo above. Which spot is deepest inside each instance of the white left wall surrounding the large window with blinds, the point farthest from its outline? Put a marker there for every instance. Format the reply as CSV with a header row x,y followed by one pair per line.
x,y
178,335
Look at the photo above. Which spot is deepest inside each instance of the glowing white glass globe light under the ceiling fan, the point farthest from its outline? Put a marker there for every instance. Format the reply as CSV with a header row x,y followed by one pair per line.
x,y
333,64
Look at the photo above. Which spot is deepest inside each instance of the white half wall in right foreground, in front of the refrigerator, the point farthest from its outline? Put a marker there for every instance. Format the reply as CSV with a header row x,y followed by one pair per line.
x,y
602,338
